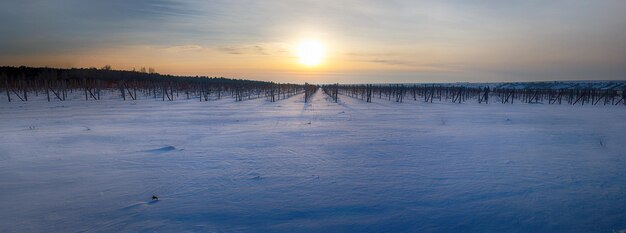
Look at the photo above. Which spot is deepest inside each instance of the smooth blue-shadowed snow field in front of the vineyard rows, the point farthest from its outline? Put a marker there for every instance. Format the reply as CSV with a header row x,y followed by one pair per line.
x,y
318,167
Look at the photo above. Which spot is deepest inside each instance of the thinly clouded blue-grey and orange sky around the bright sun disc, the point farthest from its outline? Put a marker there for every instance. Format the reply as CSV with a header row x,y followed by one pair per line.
x,y
364,41
